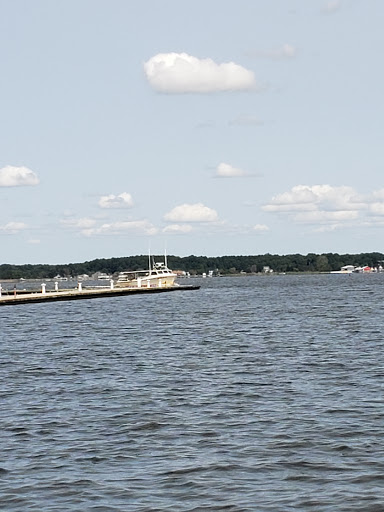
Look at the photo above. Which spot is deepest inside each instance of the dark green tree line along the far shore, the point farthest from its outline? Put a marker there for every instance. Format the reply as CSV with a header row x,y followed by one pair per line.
x,y
197,265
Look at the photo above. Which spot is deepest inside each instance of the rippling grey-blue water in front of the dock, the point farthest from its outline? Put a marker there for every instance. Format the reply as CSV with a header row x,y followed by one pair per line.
x,y
251,394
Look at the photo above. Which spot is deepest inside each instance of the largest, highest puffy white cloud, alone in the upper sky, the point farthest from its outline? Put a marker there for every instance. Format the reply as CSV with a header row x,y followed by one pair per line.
x,y
183,73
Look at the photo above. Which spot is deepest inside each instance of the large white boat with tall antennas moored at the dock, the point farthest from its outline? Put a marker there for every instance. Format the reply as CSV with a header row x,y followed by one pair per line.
x,y
157,276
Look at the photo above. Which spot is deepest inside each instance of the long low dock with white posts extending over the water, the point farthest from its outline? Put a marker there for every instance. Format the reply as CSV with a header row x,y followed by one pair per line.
x,y
30,297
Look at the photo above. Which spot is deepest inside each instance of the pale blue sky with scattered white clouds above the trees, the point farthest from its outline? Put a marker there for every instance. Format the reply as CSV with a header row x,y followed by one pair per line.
x,y
206,127
